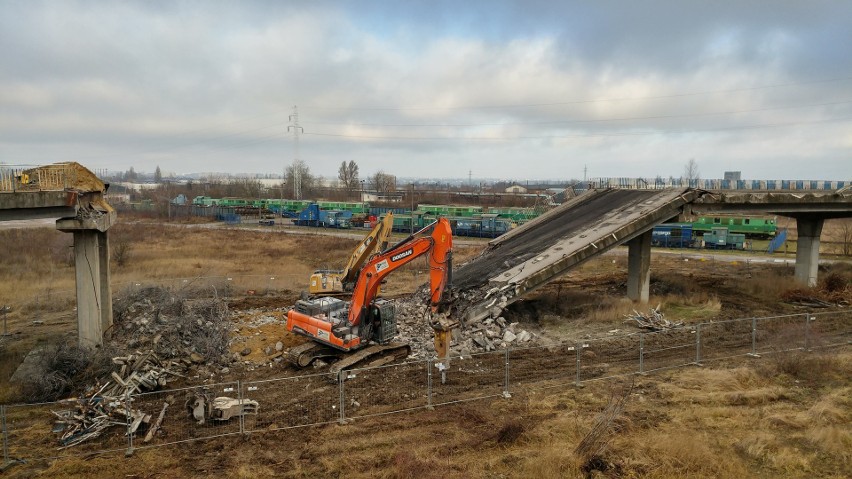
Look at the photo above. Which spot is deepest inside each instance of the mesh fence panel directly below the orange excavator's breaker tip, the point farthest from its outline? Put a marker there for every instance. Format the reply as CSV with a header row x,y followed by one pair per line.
x,y
470,377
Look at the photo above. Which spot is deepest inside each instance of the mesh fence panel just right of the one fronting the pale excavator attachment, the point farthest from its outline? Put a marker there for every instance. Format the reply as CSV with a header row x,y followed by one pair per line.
x,y
293,402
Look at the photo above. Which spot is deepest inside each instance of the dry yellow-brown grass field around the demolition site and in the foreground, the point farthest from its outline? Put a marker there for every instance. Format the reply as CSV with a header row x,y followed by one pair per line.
x,y
777,416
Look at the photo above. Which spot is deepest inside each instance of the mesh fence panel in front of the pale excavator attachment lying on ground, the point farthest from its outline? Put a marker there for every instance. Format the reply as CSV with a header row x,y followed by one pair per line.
x,y
179,423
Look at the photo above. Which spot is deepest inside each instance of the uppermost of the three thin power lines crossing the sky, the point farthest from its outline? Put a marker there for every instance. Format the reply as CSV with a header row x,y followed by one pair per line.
x,y
582,101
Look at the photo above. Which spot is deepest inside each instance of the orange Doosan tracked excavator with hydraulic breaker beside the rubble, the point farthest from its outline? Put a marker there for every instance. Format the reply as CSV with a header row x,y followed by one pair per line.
x,y
366,325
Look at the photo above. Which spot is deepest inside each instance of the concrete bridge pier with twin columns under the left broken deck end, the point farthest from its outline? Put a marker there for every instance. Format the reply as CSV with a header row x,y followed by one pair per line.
x,y
91,258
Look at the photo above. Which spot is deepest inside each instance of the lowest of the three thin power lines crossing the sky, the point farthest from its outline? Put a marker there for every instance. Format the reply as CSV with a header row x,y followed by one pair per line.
x,y
590,135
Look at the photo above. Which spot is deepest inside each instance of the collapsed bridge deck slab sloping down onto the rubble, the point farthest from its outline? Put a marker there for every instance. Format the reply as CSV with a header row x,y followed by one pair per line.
x,y
547,247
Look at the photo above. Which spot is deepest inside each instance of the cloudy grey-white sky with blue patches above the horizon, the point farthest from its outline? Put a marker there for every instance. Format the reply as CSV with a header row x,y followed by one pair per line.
x,y
528,89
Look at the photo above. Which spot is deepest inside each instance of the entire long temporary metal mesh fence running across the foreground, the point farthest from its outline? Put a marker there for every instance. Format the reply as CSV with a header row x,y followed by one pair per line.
x,y
30,432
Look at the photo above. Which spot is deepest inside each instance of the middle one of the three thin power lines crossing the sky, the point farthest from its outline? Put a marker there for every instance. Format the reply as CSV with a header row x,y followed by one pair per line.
x,y
601,120
